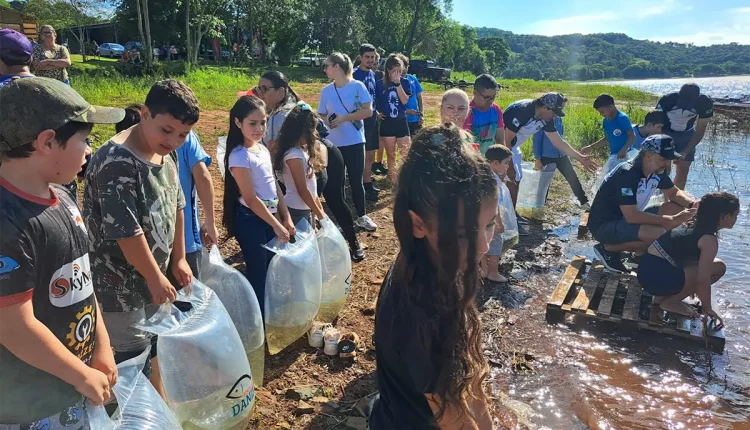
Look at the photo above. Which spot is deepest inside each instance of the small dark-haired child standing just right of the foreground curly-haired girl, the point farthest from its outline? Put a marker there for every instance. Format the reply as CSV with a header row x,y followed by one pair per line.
x,y
499,157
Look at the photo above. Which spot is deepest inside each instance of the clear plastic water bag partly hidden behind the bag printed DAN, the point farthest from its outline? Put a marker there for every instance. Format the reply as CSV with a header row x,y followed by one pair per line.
x,y
238,297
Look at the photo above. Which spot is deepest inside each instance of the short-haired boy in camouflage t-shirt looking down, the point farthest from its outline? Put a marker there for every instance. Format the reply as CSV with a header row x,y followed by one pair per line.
x,y
133,207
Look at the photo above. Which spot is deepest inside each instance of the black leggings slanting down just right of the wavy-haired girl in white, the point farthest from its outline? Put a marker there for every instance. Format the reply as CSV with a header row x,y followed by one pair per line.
x,y
332,183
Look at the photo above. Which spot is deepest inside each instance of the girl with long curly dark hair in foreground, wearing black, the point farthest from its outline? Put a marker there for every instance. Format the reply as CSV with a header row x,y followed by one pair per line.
x,y
430,365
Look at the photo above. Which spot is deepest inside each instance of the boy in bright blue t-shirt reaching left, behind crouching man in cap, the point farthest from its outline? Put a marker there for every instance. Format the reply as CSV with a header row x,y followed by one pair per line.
x,y
618,131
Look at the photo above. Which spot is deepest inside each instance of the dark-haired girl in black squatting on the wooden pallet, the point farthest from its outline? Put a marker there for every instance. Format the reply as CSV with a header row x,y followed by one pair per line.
x,y
683,261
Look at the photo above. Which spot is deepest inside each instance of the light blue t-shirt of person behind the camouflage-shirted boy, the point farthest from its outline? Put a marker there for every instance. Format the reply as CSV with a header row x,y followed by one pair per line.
x,y
188,155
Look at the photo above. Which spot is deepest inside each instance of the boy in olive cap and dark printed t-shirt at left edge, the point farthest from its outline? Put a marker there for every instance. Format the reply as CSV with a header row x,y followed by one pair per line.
x,y
54,348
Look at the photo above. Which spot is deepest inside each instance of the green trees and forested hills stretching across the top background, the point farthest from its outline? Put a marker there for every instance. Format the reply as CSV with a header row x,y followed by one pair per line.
x,y
281,30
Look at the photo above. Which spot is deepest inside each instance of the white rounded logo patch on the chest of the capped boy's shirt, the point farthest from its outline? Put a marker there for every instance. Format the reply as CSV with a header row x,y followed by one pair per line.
x,y
71,283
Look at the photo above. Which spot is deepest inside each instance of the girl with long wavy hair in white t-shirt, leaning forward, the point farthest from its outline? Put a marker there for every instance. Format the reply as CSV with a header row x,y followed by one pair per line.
x,y
298,157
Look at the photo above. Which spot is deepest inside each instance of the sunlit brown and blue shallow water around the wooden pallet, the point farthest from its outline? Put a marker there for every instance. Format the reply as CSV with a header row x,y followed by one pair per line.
x,y
589,375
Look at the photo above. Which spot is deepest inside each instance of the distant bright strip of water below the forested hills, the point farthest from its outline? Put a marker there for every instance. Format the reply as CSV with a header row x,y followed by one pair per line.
x,y
727,86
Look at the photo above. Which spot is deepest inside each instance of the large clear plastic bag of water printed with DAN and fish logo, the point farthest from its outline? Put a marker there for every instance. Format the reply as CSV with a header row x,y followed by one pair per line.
x,y
203,365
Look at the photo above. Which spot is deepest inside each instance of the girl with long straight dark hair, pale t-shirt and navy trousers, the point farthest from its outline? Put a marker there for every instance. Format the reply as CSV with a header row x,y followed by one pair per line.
x,y
254,208
